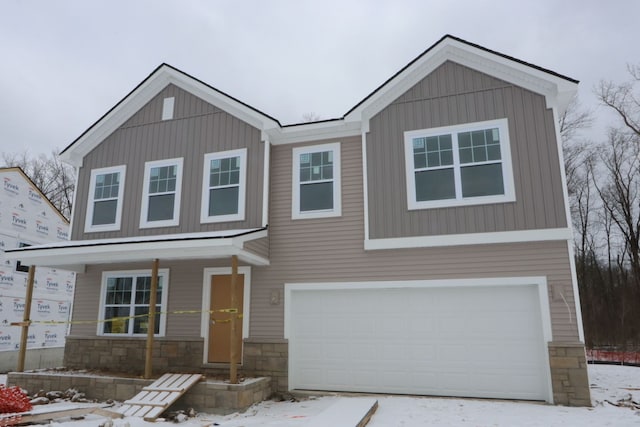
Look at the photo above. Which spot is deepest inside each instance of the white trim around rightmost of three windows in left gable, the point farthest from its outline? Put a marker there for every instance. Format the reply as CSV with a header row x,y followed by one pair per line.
x,y
204,211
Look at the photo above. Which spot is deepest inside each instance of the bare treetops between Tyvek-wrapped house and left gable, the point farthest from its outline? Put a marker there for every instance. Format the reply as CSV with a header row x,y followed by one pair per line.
x,y
55,179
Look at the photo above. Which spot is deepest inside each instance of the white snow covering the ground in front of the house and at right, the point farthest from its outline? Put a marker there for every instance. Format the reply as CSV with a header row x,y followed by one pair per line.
x,y
608,383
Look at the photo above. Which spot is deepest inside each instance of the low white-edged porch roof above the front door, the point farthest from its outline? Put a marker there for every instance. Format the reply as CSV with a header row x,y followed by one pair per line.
x,y
75,254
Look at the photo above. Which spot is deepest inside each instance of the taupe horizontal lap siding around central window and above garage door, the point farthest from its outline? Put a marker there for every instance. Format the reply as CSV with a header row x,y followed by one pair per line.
x,y
332,250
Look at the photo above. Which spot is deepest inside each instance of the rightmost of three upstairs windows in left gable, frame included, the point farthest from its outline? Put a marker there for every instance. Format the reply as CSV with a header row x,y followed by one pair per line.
x,y
224,186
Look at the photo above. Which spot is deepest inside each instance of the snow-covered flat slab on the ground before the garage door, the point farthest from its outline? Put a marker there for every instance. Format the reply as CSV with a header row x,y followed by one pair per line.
x,y
346,412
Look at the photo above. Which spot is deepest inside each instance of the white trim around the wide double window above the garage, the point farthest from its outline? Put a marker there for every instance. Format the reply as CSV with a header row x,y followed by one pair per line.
x,y
507,171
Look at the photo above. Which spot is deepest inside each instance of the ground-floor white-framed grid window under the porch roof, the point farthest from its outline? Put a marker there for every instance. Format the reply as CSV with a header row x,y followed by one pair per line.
x,y
125,298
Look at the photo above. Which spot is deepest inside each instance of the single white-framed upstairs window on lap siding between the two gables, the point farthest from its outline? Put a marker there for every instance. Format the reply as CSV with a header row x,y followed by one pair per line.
x,y
316,189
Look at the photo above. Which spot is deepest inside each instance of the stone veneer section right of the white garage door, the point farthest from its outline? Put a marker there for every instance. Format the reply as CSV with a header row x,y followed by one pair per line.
x,y
569,377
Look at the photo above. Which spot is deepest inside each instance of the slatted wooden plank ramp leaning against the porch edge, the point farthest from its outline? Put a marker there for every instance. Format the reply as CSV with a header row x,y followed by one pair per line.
x,y
154,399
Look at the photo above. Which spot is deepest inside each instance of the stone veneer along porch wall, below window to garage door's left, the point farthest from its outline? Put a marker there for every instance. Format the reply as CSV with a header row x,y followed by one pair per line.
x,y
127,355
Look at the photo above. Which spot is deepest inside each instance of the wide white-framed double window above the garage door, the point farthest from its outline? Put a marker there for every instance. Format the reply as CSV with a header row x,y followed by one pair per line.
x,y
459,165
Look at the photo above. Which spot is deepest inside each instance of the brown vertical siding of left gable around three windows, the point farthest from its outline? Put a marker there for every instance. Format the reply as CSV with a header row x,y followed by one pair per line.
x,y
197,128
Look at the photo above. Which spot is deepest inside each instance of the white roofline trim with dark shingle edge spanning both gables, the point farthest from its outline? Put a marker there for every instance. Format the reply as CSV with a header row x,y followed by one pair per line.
x,y
557,89
